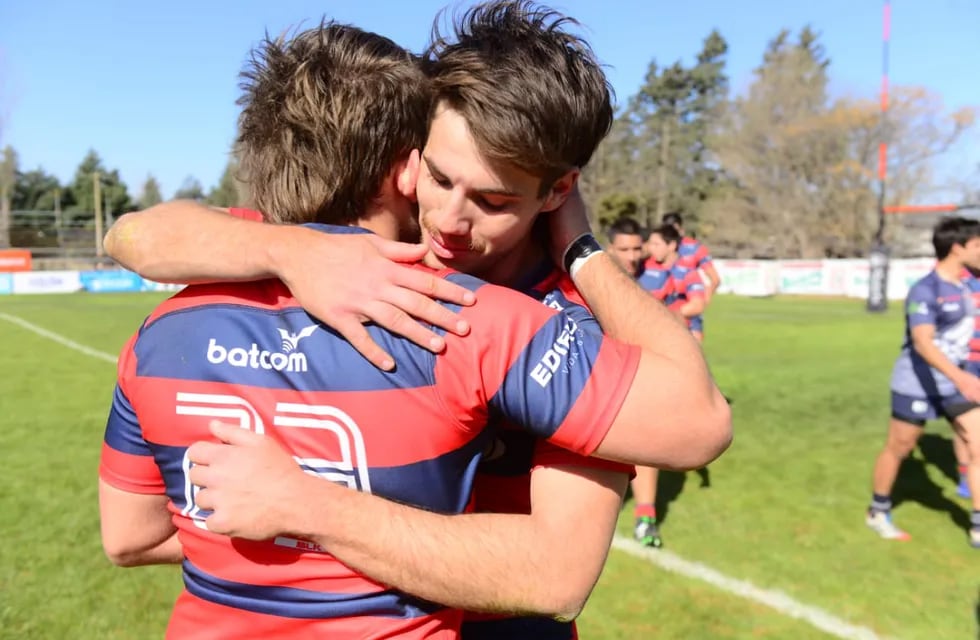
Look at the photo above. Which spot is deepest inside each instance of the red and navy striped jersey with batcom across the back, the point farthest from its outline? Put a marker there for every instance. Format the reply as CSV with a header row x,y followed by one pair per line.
x,y
247,353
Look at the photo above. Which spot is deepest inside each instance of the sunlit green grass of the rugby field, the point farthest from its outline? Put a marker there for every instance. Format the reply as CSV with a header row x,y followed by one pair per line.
x,y
783,508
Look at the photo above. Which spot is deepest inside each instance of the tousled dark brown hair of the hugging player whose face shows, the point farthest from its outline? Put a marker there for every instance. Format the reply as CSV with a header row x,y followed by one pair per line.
x,y
532,93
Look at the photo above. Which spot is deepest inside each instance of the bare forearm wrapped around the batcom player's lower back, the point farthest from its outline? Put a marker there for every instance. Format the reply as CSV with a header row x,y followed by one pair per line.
x,y
478,562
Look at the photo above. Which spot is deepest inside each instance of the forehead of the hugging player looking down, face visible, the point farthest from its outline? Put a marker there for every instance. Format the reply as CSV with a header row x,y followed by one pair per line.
x,y
452,150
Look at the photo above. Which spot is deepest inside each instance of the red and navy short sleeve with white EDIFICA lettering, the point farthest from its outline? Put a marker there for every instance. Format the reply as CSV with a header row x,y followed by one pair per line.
x,y
538,368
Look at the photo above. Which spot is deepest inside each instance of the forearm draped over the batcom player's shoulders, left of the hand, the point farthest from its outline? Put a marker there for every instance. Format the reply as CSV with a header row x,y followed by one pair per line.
x,y
187,242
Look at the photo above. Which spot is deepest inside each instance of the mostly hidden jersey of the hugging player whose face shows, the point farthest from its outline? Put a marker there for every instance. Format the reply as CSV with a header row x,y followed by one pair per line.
x,y
503,479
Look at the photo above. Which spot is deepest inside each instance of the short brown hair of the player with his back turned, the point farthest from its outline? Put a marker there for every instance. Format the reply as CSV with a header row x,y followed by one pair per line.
x,y
325,115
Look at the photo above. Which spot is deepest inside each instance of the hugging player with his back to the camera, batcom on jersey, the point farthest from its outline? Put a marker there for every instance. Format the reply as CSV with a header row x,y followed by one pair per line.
x,y
248,354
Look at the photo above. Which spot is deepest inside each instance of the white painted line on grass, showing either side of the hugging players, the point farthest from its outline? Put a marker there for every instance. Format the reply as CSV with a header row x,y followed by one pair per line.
x,y
666,560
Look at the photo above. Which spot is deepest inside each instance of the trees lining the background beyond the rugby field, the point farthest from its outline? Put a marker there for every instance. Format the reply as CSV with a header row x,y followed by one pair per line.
x,y
779,168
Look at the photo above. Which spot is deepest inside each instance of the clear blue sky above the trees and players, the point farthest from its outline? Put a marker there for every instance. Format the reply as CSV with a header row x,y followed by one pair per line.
x,y
152,86
